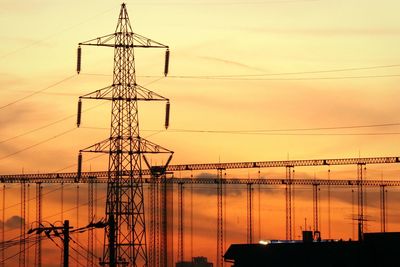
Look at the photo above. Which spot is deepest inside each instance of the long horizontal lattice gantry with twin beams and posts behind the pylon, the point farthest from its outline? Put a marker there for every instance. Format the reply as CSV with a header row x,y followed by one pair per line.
x,y
158,237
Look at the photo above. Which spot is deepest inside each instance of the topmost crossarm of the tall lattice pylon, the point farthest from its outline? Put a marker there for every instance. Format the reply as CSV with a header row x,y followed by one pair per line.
x,y
138,41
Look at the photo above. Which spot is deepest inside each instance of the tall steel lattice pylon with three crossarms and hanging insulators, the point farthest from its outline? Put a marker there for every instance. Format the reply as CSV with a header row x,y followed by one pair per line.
x,y
125,236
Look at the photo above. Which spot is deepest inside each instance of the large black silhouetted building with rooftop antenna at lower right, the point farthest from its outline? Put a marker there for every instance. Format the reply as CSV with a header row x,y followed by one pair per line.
x,y
376,249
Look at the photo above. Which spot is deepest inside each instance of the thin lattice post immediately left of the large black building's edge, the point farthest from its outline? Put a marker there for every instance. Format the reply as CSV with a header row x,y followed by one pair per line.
x,y
220,230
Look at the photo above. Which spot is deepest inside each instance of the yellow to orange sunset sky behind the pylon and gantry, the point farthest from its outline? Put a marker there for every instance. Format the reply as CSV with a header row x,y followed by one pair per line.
x,y
249,81
